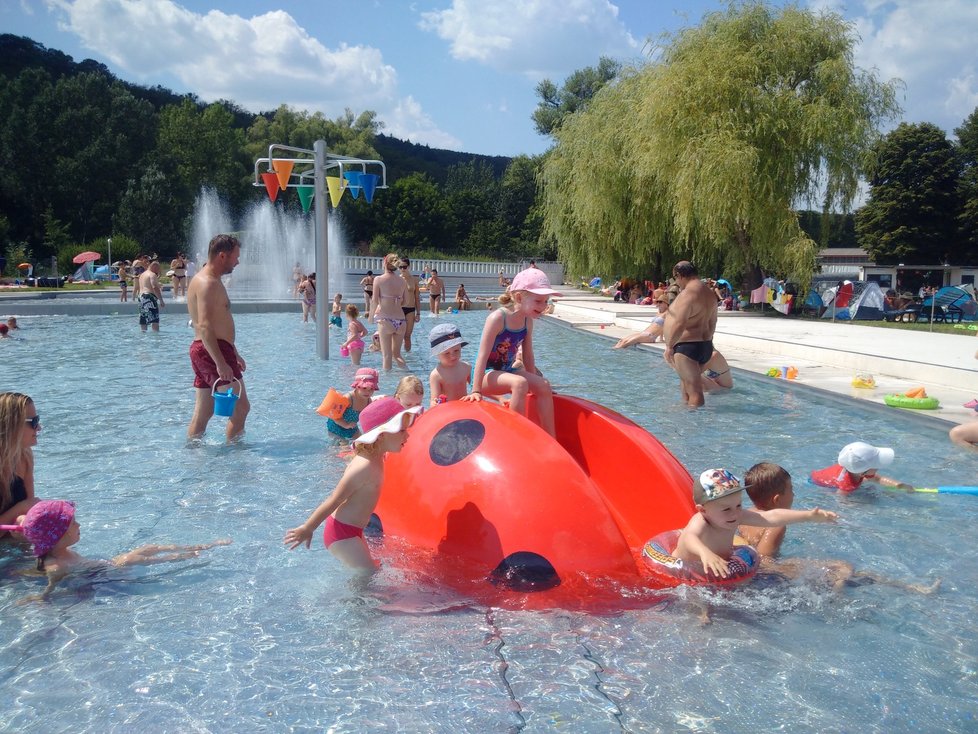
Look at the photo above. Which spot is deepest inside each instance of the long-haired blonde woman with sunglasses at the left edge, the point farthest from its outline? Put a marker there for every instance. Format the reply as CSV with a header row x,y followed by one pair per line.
x,y
19,425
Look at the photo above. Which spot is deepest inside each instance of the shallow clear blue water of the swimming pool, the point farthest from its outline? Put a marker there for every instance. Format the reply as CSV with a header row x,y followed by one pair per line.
x,y
254,638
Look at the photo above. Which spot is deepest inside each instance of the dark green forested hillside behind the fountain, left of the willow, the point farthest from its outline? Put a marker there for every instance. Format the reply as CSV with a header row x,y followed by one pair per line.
x,y
88,156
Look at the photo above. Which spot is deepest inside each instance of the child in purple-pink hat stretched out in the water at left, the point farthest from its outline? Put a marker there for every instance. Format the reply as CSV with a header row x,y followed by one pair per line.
x,y
51,528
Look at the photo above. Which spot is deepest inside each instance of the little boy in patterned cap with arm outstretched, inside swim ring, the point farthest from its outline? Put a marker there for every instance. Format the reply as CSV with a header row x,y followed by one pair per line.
x,y
709,535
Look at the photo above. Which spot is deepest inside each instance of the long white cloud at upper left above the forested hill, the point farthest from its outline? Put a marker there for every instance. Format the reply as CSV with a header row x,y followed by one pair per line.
x,y
258,62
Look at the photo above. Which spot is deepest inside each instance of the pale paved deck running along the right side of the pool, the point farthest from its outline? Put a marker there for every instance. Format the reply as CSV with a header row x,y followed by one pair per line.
x,y
827,354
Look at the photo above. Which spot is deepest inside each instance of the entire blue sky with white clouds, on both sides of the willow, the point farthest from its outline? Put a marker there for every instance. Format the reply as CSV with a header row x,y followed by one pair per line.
x,y
457,74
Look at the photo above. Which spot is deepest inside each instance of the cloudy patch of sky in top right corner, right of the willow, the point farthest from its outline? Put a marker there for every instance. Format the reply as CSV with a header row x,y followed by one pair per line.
x,y
929,44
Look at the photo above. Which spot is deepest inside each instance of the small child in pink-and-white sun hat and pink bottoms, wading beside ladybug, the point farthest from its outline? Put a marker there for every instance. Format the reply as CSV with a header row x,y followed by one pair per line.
x,y
347,510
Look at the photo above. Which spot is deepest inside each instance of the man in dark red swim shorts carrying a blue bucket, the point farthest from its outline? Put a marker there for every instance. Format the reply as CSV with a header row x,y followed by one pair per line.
x,y
212,353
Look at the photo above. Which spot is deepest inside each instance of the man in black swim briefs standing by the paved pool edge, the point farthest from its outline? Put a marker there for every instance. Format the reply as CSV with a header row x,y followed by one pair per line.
x,y
688,331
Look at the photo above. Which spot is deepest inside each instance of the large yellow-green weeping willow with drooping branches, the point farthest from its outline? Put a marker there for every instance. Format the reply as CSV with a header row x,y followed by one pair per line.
x,y
705,152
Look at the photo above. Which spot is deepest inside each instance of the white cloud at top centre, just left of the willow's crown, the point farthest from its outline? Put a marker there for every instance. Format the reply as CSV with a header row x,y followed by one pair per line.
x,y
536,38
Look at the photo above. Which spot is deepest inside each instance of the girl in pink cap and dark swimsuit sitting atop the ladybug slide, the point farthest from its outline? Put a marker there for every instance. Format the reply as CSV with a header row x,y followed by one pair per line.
x,y
505,331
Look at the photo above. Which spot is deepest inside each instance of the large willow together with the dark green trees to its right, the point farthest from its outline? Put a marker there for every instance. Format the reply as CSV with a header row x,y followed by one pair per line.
x,y
711,149
